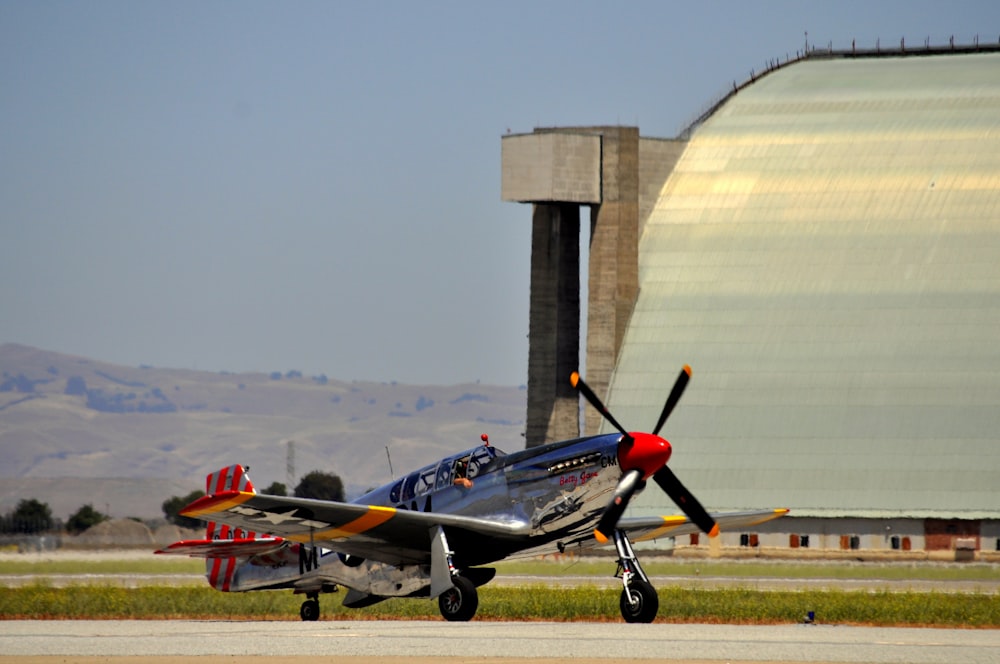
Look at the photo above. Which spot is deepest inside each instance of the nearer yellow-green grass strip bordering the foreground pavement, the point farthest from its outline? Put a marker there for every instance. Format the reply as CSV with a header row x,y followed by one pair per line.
x,y
587,603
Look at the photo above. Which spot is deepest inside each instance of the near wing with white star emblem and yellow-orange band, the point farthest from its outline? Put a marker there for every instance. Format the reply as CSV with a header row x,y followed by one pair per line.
x,y
387,534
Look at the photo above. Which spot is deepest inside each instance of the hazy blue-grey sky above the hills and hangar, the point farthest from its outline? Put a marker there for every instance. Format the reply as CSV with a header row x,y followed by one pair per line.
x,y
316,185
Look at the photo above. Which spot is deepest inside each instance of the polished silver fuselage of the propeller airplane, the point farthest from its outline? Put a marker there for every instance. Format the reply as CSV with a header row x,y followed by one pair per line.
x,y
559,491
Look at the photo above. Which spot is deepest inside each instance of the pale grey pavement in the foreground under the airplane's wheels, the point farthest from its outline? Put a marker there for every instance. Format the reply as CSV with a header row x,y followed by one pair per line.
x,y
420,642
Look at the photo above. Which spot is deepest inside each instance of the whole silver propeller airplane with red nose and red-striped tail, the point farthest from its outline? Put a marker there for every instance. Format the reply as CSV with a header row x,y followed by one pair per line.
x,y
431,533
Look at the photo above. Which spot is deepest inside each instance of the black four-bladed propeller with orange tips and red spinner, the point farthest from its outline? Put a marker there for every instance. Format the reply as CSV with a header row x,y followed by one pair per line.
x,y
645,455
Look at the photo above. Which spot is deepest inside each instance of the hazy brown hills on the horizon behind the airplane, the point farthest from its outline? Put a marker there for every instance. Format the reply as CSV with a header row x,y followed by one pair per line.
x,y
162,430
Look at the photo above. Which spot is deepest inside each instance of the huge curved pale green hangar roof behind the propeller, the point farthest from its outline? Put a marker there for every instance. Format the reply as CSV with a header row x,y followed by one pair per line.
x,y
826,256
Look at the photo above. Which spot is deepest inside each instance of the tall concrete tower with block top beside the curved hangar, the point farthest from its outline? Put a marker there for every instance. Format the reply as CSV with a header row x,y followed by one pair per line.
x,y
558,170
